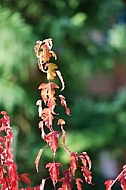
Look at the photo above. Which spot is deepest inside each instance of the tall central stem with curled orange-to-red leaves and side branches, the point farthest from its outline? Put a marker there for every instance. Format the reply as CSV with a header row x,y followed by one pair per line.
x,y
46,109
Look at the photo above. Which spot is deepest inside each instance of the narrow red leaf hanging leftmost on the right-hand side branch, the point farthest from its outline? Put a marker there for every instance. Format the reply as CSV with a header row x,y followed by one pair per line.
x,y
73,162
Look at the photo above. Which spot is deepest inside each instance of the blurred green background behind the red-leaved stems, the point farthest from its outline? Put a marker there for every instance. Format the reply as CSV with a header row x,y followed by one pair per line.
x,y
89,37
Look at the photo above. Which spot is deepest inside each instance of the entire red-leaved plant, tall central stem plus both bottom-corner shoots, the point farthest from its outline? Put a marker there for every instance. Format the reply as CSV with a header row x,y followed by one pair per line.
x,y
9,177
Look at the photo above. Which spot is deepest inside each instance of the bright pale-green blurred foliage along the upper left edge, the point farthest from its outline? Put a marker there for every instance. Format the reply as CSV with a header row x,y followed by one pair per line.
x,y
16,57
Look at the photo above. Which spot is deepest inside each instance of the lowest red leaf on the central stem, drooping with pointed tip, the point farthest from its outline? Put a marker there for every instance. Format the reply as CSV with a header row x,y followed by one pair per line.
x,y
54,171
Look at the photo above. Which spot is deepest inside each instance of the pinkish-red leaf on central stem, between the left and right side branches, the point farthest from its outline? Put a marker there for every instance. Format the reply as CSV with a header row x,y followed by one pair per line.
x,y
52,140
